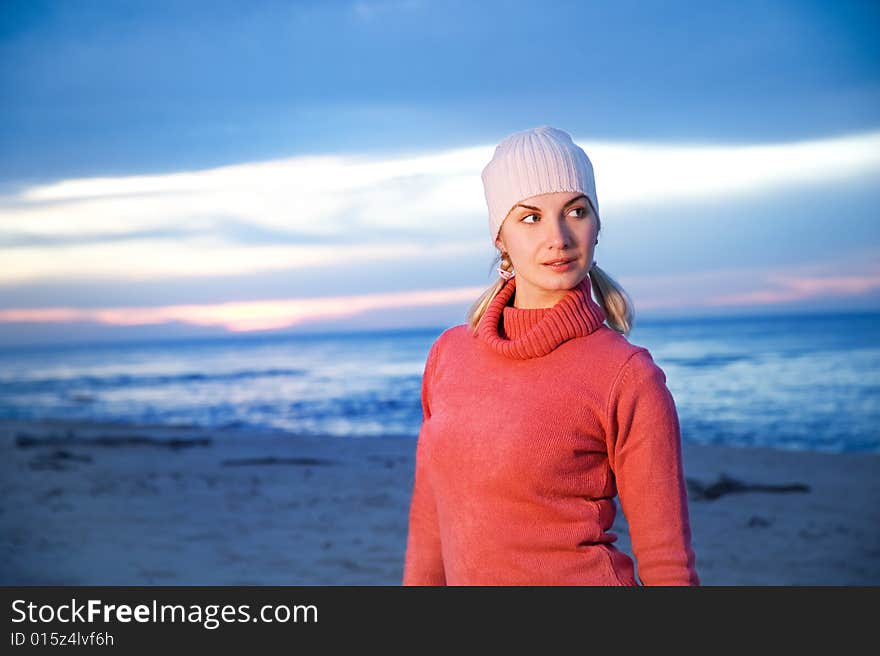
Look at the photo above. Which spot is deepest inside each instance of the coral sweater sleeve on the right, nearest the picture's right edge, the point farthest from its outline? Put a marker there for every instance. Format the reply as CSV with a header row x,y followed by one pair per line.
x,y
645,455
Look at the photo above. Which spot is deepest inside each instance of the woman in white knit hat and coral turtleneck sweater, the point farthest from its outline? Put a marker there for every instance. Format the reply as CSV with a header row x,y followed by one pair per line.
x,y
537,414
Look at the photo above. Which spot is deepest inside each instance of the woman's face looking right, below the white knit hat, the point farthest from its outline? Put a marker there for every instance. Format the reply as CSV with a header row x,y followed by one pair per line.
x,y
543,229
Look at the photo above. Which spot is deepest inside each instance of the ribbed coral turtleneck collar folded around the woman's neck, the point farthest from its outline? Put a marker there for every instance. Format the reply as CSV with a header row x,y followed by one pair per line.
x,y
521,333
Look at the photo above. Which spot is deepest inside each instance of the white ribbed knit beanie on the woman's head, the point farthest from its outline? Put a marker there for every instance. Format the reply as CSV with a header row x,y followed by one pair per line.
x,y
537,161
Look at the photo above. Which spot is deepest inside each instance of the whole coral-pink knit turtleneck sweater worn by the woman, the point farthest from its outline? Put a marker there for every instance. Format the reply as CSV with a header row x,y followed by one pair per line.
x,y
530,429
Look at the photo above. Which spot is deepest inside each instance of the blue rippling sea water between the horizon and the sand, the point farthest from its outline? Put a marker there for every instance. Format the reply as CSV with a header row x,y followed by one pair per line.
x,y
798,382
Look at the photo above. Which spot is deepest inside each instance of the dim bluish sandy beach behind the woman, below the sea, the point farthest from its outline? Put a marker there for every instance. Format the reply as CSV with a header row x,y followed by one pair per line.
x,y
102,504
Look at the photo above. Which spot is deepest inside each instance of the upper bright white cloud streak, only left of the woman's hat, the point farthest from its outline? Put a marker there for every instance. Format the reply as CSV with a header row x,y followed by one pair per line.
x,y
312,195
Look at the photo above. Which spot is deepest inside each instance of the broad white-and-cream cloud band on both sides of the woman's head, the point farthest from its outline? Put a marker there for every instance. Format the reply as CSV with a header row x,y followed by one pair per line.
x,y
315,210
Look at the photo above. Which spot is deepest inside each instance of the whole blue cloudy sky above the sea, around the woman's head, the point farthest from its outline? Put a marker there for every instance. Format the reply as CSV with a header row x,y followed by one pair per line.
x,y
175,169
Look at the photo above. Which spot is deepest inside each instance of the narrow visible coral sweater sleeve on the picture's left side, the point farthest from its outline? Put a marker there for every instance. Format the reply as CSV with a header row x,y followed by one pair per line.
x,y
423,564
